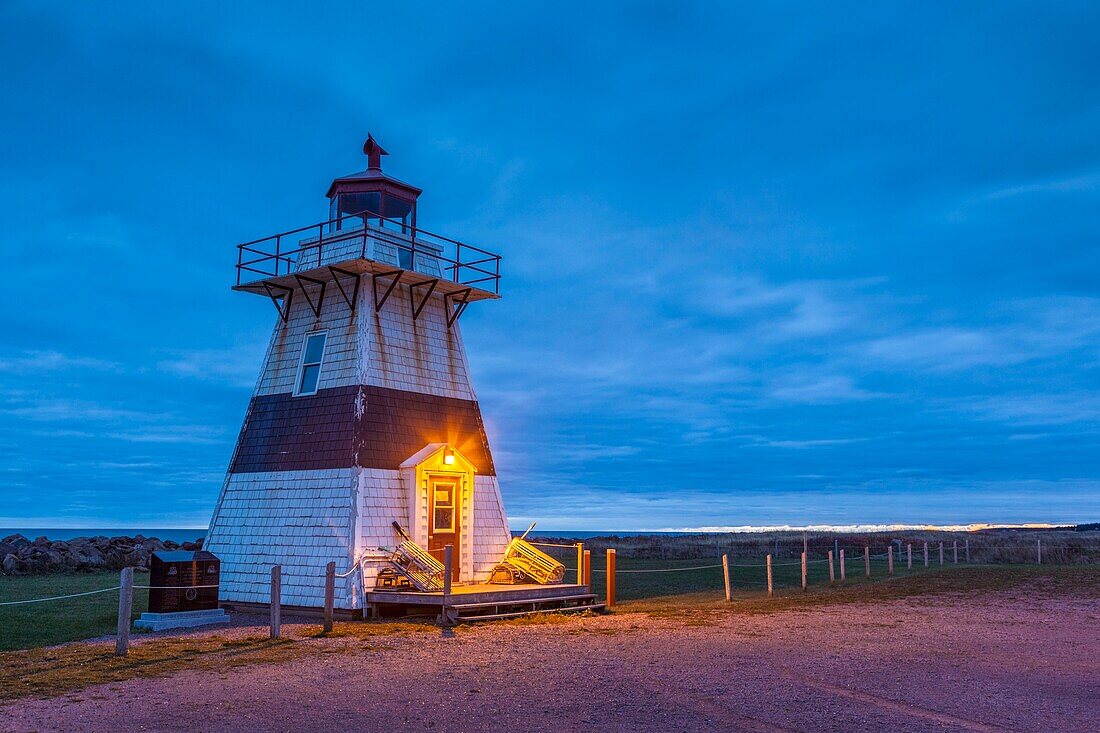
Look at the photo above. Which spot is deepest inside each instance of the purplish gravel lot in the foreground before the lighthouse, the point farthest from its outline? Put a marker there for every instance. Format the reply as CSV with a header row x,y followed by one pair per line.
x,y
991,663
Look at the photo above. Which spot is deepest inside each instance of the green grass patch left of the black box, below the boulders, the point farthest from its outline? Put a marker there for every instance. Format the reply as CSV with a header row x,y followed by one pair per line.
x,y
56,622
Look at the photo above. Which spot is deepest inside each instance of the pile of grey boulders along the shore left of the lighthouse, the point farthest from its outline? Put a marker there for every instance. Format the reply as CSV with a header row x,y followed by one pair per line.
x,y
20,556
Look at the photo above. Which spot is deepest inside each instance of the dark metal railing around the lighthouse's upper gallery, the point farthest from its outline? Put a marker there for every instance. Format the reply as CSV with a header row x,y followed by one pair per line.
x,y
331,243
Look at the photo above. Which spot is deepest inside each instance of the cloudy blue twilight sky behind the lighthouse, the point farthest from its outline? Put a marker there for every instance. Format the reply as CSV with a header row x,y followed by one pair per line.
x,y
772,265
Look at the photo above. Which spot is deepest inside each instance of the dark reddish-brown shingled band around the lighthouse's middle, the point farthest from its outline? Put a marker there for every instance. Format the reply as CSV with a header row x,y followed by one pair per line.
x,y
356,428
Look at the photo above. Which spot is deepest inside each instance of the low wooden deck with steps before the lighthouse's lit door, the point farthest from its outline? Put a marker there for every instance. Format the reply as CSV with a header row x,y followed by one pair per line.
x,y
485,603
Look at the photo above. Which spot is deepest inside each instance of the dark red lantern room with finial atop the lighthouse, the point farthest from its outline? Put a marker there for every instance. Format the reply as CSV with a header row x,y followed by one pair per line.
x,y
371,198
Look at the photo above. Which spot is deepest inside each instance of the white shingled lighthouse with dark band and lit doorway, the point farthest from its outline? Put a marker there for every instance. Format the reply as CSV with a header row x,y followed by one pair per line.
x,y
364,414
